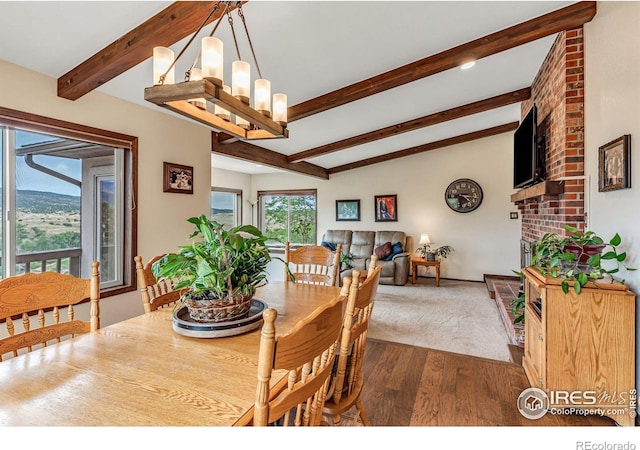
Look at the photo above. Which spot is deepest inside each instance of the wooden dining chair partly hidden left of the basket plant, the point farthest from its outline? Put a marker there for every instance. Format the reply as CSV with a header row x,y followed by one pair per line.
x,y
156,294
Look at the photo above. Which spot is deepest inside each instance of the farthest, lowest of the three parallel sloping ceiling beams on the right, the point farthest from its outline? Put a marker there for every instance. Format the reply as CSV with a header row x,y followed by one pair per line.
x,y
426,147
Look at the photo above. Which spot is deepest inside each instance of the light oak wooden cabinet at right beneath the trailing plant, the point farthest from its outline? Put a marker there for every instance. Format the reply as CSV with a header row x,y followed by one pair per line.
x,y
580,349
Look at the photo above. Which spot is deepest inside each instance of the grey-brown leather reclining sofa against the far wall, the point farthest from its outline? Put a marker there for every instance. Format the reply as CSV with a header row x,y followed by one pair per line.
x,y
363,244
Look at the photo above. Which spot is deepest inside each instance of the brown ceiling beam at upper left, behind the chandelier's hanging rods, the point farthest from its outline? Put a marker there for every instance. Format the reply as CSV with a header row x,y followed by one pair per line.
x,y
175,22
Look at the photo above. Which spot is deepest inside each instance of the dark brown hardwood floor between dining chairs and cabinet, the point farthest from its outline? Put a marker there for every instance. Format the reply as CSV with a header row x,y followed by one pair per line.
x,y
416,386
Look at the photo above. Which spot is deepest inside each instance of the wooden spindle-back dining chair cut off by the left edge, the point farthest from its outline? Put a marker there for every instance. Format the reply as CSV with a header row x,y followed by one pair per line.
x,y
25,302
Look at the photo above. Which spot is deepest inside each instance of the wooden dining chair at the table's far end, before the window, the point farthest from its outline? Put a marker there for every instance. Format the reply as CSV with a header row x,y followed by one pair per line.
x,y
313,264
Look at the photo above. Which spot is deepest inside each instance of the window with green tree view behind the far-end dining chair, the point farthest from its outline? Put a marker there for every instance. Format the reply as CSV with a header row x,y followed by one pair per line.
x,y
288,216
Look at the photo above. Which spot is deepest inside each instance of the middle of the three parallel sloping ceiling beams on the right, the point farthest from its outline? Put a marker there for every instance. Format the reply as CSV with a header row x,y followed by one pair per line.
x,y
432,119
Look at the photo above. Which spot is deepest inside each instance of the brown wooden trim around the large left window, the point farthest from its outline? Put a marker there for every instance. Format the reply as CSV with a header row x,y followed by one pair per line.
x,y
42,124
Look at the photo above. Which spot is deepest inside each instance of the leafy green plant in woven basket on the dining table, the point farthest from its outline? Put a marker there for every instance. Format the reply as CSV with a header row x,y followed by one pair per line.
x,y
218,273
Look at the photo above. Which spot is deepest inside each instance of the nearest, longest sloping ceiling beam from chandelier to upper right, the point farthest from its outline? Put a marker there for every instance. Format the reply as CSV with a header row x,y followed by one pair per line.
x,y
566,18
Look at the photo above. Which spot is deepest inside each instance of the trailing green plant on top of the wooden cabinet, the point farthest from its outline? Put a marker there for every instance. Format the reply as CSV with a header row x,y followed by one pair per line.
x,y
577,257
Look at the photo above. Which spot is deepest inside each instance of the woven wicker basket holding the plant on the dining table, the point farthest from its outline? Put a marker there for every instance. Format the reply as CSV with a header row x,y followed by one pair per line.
x,y
208,310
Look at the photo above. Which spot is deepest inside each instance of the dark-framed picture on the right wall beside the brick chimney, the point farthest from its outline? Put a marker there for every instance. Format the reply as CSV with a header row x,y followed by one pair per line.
x,y
614,165
